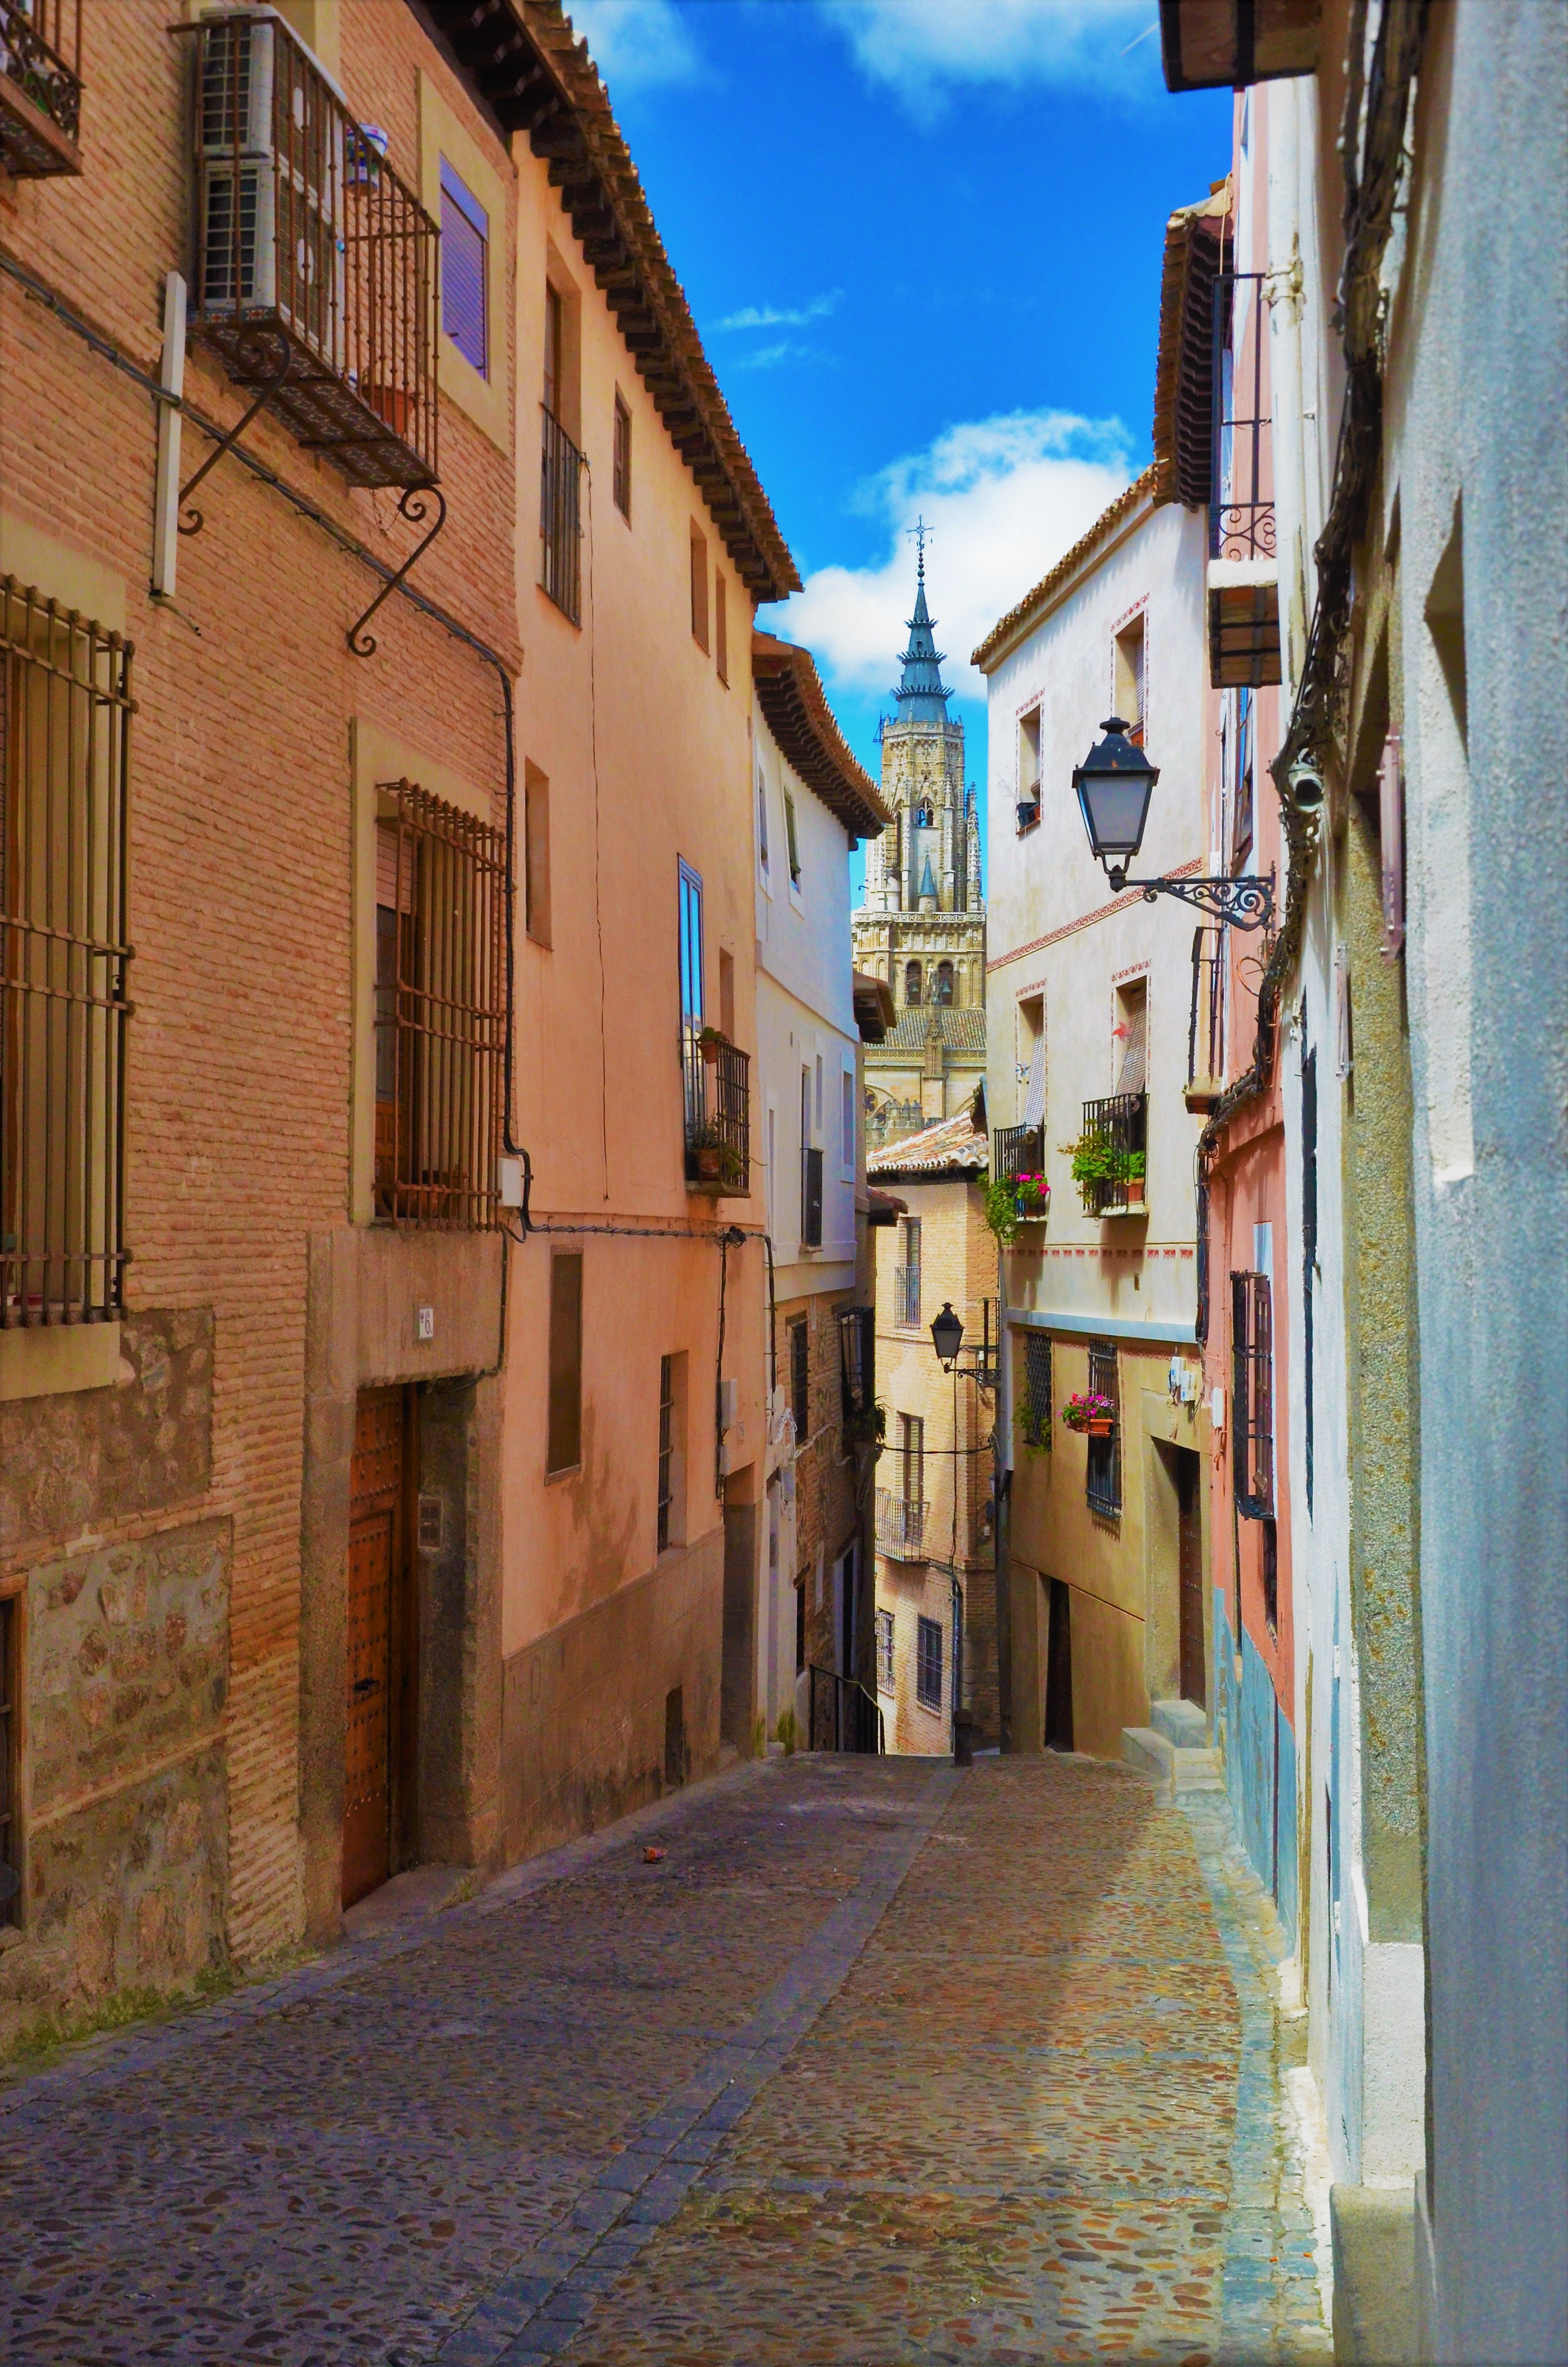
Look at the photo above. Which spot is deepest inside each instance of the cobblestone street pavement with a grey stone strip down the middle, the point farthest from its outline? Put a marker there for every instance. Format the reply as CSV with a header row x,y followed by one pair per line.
x,y
883,2065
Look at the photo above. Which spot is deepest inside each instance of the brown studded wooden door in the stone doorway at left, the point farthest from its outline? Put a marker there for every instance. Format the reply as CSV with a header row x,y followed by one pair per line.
x,y
375,1518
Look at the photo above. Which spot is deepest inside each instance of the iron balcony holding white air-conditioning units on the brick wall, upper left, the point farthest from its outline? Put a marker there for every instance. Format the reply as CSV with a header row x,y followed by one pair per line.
x,y
316,264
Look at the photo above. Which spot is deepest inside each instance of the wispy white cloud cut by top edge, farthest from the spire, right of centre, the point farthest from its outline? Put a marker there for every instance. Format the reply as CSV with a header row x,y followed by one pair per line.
x,y
921,49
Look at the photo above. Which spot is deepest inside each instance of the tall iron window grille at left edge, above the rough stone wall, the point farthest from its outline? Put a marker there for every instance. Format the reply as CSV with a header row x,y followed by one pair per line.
x,y
65,773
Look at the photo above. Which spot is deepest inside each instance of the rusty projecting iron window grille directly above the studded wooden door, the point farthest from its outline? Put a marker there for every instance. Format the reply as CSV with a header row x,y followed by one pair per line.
x,y
441,1012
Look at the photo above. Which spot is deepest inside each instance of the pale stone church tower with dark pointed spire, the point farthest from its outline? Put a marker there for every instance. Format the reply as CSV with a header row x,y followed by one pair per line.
x,y
924,924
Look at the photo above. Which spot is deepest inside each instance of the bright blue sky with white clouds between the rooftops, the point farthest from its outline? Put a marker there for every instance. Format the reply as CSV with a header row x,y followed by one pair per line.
x,y
921,240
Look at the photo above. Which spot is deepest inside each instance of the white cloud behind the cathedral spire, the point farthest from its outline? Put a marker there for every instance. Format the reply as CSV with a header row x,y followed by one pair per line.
x,y
1004,498
